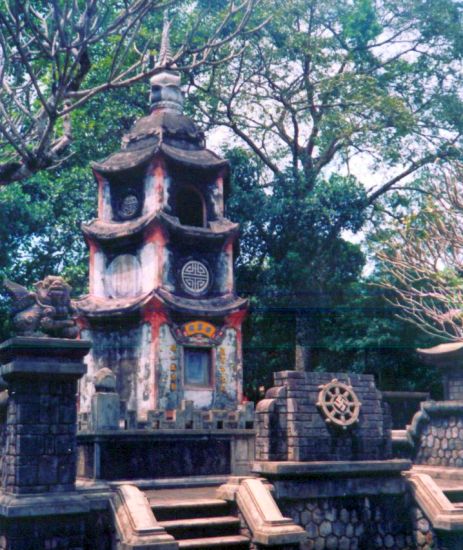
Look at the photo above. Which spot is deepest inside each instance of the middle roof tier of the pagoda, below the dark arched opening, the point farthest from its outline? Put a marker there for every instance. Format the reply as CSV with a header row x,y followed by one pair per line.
x,y
110,231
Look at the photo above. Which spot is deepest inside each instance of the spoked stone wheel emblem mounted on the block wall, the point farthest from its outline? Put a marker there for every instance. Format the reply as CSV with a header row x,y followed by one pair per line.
x,y
339,404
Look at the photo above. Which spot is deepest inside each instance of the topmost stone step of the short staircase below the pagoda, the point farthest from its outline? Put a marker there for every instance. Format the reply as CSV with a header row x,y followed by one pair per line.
x,y
176,509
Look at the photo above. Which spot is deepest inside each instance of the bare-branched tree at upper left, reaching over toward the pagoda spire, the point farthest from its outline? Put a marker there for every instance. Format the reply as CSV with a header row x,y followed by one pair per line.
x,y
49,51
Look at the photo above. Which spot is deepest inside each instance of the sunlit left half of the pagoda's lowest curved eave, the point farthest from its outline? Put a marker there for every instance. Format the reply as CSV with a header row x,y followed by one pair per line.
x,y
94,307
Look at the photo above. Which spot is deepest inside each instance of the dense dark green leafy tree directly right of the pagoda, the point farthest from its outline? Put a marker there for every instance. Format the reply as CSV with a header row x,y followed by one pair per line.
x,y
294,263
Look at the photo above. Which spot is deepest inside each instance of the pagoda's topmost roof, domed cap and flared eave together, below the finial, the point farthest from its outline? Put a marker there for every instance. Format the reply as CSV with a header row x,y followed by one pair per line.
x,y
165,132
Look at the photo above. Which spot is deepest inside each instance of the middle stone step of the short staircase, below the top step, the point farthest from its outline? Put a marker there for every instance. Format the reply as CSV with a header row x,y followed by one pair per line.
x,y
202,527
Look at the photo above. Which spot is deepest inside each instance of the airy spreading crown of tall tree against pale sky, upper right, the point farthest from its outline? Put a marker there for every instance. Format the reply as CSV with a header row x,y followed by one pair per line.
x,y
325,83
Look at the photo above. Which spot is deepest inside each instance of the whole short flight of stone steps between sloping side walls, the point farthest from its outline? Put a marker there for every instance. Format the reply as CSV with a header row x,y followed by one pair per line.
x,y
196,519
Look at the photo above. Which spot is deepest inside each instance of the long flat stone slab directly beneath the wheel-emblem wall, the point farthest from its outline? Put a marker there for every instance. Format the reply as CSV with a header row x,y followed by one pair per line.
x,y
331,468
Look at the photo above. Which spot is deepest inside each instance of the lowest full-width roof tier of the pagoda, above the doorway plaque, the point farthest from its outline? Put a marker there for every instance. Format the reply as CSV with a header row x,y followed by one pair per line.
x,y
95,307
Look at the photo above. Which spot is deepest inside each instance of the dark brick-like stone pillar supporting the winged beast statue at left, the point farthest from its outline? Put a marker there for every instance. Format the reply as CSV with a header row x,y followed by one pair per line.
x,y
40,447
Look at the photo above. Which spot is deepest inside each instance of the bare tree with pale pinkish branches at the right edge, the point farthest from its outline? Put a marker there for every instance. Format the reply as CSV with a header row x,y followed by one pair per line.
x,y
421,256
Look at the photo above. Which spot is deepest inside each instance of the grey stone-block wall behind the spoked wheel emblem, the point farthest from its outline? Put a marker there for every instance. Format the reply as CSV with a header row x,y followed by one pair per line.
x,y
290,426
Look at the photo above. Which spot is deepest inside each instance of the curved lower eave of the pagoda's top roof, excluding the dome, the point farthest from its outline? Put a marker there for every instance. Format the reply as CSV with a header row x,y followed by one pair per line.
x,y
131,159
